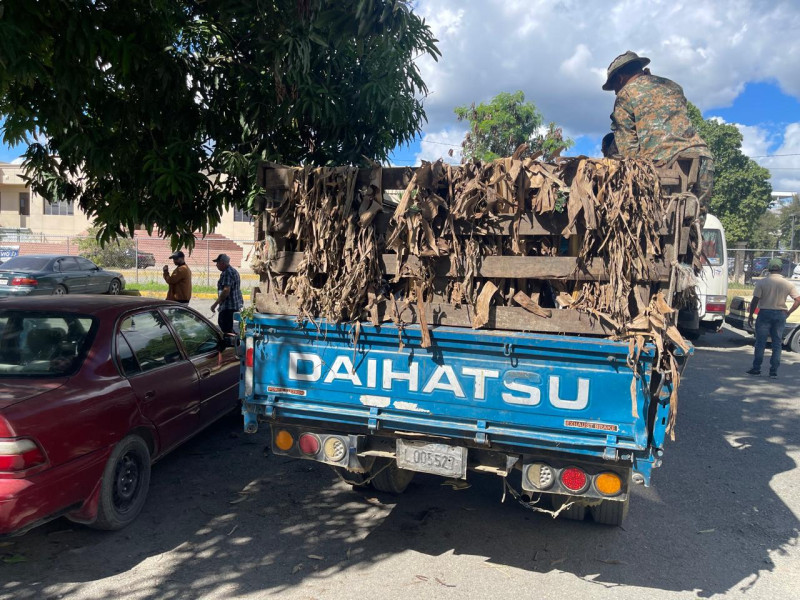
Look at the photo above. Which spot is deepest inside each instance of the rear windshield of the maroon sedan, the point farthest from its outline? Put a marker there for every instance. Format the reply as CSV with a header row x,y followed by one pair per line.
x,y
43,344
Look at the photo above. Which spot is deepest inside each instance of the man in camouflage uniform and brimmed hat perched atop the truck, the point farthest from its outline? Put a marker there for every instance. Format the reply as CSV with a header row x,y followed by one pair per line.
x,y
651,120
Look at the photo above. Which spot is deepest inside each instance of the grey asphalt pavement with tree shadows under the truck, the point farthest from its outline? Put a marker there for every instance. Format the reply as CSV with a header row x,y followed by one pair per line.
x,y
227,519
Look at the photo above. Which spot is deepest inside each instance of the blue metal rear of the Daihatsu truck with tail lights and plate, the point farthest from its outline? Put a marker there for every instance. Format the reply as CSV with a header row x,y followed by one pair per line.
x,y
570,422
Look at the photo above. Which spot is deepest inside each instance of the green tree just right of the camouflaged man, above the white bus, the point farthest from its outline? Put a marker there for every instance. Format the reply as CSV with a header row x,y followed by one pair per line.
x,y
741,186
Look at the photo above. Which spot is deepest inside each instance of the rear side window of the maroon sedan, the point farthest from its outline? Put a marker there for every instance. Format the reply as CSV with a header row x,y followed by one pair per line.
x,y
150,340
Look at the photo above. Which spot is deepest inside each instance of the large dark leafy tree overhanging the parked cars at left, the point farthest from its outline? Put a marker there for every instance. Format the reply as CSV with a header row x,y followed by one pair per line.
x,y
158,112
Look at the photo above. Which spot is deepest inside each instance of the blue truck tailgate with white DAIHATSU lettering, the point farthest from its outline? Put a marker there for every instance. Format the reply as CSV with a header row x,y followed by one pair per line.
x,y
491,387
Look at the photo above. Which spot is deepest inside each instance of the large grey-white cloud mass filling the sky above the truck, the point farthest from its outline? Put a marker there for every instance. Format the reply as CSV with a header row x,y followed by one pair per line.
x,y
557,52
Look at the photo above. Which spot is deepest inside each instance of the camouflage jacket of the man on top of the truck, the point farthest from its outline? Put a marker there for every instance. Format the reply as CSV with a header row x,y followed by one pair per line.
x,y
650,120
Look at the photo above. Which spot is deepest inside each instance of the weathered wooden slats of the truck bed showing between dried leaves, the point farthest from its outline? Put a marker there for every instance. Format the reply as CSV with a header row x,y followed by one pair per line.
x,y
675,233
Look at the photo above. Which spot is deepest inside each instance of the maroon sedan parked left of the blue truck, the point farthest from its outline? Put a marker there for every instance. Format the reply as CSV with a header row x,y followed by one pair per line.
x,y
92,391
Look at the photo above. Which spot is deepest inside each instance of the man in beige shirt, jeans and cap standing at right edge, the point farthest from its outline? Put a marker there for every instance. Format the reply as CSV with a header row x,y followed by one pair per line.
x,y
769,296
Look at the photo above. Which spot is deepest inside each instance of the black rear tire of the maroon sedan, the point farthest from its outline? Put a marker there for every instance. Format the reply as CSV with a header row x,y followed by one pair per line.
x,y
126,480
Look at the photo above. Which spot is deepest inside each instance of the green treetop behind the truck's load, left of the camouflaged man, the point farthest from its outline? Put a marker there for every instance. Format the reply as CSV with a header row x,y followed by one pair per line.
x,y
498,128
